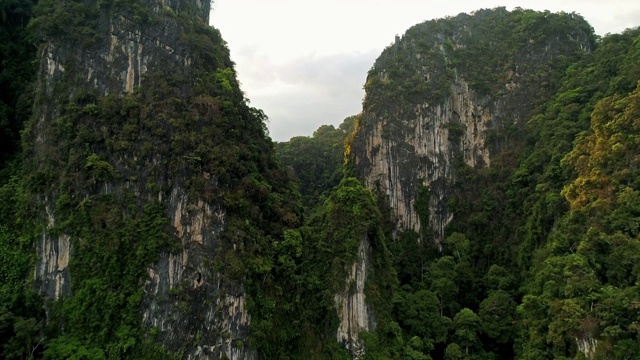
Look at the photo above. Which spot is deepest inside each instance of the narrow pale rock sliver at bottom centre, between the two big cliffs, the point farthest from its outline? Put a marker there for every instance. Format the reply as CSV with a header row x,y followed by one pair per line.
x,y
353,309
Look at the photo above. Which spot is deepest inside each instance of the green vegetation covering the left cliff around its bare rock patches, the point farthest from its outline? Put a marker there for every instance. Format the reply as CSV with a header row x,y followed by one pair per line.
x,y
99,168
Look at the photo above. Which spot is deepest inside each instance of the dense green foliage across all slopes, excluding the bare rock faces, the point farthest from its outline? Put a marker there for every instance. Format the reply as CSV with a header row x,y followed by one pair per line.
x,y
541,261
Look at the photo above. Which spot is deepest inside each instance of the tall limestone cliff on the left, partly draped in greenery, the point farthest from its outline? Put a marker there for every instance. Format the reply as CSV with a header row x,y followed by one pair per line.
x,y
137,108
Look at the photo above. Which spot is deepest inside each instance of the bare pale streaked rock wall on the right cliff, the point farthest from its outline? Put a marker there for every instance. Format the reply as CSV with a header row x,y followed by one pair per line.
x,y
424,154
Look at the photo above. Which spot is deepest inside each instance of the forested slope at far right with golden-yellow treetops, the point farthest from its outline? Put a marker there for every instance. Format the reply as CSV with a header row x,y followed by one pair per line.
x,y
547,221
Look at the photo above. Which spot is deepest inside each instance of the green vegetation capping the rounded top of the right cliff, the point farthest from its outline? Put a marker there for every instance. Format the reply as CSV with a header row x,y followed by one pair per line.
x,y
488,49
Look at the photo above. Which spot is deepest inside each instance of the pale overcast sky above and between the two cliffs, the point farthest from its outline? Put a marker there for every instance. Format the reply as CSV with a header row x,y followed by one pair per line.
x,y
304,62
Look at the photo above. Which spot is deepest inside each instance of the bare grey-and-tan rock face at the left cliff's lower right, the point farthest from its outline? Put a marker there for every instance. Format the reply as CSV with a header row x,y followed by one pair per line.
x,y
185,299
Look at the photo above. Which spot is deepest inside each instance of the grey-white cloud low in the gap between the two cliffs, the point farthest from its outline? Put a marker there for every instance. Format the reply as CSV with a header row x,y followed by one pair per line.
x,y
310,91
